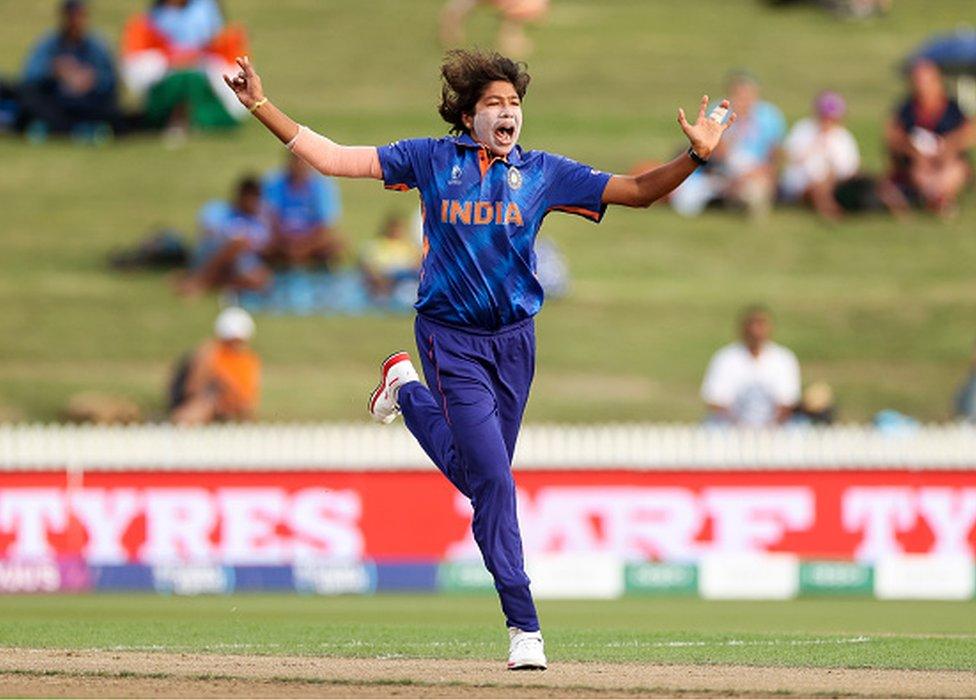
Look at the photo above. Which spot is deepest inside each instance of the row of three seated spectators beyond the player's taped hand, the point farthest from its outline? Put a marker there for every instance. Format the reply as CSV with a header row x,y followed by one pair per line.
x,y
817,162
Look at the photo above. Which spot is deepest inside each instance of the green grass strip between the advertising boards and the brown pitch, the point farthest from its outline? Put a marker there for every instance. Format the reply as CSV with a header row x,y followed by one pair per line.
x,y
841,634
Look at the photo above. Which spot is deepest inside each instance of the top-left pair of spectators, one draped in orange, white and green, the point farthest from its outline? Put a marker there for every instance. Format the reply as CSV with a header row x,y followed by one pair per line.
x,y
170,61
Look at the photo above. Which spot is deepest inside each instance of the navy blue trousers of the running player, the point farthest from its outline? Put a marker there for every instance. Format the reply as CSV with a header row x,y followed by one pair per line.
x,y
467,421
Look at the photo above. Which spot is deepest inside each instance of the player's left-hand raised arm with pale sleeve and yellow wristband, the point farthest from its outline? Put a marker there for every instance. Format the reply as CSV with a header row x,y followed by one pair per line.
x,y
321,153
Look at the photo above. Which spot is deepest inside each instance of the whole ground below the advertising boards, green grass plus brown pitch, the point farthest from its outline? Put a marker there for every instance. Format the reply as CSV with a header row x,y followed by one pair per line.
x,y
426,646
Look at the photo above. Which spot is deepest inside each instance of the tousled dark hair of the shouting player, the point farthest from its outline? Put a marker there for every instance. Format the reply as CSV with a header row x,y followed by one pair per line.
x,y
466,74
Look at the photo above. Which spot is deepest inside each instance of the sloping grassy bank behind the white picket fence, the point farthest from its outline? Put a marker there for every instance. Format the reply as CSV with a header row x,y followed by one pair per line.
x,y
882,311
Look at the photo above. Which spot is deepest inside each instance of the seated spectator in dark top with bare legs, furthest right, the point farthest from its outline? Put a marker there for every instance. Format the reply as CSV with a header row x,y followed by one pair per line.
x,y
927,139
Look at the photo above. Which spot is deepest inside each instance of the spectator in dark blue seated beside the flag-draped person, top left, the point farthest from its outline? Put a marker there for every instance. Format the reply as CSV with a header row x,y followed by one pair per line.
x,y
69,81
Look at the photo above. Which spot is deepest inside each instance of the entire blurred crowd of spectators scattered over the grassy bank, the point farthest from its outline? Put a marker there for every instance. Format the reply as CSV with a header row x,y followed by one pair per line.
x,y
285,225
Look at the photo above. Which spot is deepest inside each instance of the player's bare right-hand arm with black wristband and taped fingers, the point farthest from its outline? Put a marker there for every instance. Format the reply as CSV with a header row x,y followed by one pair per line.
x,y
645,189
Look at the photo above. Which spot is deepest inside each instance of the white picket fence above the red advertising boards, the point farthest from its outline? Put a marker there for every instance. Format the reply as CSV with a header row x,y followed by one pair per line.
x,y
363,447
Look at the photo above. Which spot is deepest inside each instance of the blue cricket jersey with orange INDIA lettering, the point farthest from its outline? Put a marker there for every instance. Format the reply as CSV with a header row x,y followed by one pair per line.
x,y
481,216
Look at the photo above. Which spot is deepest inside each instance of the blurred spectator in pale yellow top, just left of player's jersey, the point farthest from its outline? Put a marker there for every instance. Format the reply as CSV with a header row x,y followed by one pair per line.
x,y
390,259
